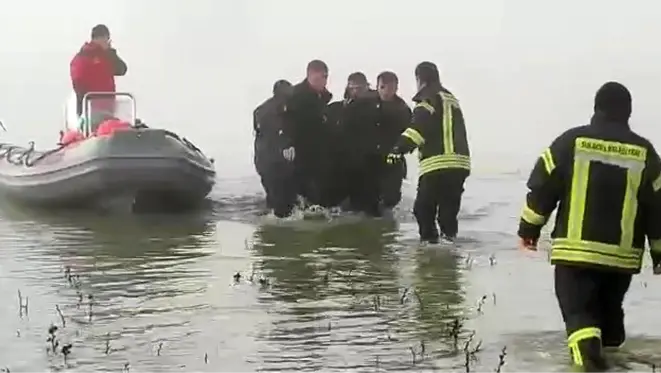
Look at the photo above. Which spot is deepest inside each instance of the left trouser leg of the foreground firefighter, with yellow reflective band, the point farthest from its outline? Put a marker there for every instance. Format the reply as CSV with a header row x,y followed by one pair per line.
x,y
577,290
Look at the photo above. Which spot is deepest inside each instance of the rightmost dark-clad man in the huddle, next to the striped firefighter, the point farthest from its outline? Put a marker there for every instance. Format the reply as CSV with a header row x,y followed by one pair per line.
x,y
394,118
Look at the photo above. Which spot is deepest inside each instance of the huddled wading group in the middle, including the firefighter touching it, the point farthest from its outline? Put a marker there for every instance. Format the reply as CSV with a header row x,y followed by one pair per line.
x,y
350,153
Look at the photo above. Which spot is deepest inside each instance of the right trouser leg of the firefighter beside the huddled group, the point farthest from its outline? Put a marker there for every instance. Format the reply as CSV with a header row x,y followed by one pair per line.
x,y
452,188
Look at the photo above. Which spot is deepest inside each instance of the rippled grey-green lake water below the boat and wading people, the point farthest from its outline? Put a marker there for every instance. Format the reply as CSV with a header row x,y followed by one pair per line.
x,y
357,296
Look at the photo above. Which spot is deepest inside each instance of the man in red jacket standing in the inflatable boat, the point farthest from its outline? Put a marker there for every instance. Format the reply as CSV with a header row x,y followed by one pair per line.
x,y
94,67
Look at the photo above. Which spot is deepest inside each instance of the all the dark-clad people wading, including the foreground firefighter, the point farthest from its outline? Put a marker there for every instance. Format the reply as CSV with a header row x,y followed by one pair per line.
x,y
602,177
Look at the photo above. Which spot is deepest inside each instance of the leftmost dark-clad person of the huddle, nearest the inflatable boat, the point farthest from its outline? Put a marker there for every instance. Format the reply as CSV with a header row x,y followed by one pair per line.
x,y
274,152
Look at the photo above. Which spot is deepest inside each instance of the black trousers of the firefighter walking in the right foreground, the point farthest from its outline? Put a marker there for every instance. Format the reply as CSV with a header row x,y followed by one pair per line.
x,y
591,304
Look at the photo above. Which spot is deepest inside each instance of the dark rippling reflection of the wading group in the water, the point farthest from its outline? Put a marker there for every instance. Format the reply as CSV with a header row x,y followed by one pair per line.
x,y
340,299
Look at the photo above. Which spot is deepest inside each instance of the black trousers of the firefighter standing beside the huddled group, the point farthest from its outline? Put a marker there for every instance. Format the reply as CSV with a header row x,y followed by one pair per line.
x,y
439,200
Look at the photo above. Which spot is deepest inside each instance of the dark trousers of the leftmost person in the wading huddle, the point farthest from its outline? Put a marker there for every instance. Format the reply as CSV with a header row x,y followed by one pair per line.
x,y
280,187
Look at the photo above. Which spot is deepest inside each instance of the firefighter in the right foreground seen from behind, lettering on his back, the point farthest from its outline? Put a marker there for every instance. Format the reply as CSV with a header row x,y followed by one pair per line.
x,y
606,180
